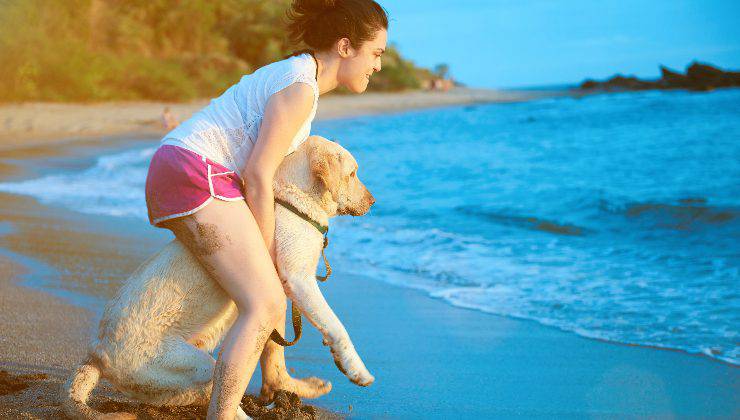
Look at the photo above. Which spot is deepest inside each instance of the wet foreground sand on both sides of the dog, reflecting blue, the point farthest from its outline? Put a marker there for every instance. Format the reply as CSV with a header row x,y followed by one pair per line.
x,y
429,358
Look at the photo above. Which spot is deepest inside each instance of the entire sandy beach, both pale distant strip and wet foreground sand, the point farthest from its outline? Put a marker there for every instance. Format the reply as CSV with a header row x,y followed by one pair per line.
x,y
430,359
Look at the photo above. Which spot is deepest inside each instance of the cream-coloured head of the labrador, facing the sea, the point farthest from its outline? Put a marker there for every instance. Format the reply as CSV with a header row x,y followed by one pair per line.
x,y
327,173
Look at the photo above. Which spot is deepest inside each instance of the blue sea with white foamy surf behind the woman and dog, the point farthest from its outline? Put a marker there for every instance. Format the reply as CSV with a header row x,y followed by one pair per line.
x,y
615,216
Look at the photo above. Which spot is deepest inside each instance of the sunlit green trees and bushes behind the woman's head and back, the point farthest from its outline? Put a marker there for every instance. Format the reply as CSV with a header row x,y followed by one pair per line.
x,y
93,50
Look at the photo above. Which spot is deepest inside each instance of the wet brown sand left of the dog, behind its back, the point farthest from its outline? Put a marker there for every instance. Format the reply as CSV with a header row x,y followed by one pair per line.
x,y
58,269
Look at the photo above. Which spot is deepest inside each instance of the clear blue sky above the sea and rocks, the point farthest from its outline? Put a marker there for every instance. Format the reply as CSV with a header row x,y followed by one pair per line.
x,y
526,43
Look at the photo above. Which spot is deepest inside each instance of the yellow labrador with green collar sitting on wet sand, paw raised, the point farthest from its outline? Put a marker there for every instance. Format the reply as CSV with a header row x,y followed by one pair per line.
x,y
157,334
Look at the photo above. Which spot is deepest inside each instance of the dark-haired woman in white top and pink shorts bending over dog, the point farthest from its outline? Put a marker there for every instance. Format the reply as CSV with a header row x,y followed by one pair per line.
x,y
195,179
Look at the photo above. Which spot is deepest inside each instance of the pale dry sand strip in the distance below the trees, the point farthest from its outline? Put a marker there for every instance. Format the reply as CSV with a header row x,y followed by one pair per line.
x,y
38,123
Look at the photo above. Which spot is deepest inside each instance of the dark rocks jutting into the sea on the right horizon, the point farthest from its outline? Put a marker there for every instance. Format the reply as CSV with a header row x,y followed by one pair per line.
x,y
700,77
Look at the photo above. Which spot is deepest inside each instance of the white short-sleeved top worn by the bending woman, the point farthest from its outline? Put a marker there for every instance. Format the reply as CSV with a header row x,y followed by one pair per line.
x,y
226,130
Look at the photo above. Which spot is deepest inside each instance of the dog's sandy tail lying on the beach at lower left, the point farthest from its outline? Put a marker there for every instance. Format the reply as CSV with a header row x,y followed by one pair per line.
x,y
78,389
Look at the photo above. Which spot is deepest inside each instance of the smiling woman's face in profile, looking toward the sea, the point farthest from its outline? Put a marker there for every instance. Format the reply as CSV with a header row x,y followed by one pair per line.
x,y
361,63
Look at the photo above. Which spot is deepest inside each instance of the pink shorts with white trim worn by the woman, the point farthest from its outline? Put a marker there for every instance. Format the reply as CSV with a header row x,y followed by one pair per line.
x,y
181,182
